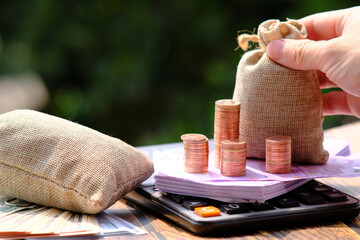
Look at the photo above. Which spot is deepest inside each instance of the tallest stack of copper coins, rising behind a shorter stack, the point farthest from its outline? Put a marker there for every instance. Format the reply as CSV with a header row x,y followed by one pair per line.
x,y
227,114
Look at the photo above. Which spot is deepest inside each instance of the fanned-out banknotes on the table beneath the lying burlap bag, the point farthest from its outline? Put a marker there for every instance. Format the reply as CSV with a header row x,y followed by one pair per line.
x,y
21,219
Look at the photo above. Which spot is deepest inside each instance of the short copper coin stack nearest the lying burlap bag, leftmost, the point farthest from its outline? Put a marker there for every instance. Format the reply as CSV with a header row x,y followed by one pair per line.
x,y
196,153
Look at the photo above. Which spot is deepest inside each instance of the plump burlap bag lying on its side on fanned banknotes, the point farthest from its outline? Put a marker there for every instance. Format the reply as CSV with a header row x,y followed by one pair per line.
x,y
54,162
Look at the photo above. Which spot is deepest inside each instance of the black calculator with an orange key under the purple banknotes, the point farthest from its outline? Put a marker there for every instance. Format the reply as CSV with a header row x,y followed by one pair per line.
x,y
313,202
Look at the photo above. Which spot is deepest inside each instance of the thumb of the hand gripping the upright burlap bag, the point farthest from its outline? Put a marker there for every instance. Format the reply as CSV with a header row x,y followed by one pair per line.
x,y
297,54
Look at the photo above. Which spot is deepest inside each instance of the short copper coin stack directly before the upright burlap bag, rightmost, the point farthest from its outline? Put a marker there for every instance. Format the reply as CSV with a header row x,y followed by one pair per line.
x,y
278,154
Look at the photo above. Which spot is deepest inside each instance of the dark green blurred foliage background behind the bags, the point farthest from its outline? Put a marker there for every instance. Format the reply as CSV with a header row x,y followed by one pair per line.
x,y
142,71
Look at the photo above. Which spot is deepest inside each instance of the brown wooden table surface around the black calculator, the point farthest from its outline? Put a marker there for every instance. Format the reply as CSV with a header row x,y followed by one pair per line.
x,y
158,228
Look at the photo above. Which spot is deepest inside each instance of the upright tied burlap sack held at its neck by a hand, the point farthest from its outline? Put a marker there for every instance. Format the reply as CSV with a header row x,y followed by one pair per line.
x,y
276,100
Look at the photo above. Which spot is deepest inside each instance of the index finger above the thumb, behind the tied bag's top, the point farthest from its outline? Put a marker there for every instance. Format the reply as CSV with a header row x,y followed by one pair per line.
x,y
325,25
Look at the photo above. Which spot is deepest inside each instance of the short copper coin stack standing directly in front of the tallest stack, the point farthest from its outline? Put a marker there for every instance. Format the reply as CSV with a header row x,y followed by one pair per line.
x,y
233,158
